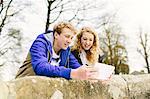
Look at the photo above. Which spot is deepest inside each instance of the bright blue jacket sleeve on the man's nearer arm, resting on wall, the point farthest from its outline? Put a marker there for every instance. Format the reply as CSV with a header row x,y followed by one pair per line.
x,y
40,63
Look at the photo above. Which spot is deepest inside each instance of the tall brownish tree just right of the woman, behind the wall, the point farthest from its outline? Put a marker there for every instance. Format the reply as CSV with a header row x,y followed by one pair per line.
x,y
112,44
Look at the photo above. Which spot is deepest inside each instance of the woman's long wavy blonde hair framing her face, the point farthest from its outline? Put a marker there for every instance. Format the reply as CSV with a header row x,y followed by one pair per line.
x,y
93,53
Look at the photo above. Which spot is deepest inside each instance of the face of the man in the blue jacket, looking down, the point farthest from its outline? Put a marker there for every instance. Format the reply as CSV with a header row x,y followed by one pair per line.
x,y
64,39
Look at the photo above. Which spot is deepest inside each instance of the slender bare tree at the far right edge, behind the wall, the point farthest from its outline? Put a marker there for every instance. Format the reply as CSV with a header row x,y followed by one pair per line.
x,y
144,50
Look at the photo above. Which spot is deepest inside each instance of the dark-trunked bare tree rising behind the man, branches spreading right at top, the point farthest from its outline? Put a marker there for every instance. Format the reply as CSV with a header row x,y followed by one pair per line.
x,y
57,8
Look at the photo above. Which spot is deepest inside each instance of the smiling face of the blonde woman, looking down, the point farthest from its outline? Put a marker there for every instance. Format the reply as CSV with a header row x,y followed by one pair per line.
x,y
87,40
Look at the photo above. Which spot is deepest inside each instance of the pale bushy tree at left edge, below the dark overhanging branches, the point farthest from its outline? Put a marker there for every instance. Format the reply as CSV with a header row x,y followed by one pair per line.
x,y
10,46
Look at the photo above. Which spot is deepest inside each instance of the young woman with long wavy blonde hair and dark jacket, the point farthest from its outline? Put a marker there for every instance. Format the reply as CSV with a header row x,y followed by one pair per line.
x,y
86,47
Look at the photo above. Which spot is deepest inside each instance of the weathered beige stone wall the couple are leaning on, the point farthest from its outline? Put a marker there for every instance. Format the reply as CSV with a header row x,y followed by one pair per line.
x,y
36,87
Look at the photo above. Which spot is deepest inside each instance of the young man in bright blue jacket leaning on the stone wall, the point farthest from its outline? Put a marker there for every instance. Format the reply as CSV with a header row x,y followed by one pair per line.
x,y
50,56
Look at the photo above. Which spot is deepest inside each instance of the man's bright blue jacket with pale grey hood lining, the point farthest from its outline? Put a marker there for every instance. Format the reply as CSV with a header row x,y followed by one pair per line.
x,y
39,58
